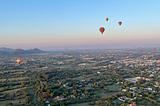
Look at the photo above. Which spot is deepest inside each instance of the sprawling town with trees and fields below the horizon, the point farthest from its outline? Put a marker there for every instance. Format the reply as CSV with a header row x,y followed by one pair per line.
x,y
113,77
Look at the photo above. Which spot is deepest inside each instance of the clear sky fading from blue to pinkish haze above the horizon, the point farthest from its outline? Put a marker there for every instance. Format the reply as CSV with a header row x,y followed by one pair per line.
x,y
74,24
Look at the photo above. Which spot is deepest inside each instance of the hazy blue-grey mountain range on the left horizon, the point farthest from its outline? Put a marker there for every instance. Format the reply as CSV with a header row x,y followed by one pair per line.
x,y
7,51
